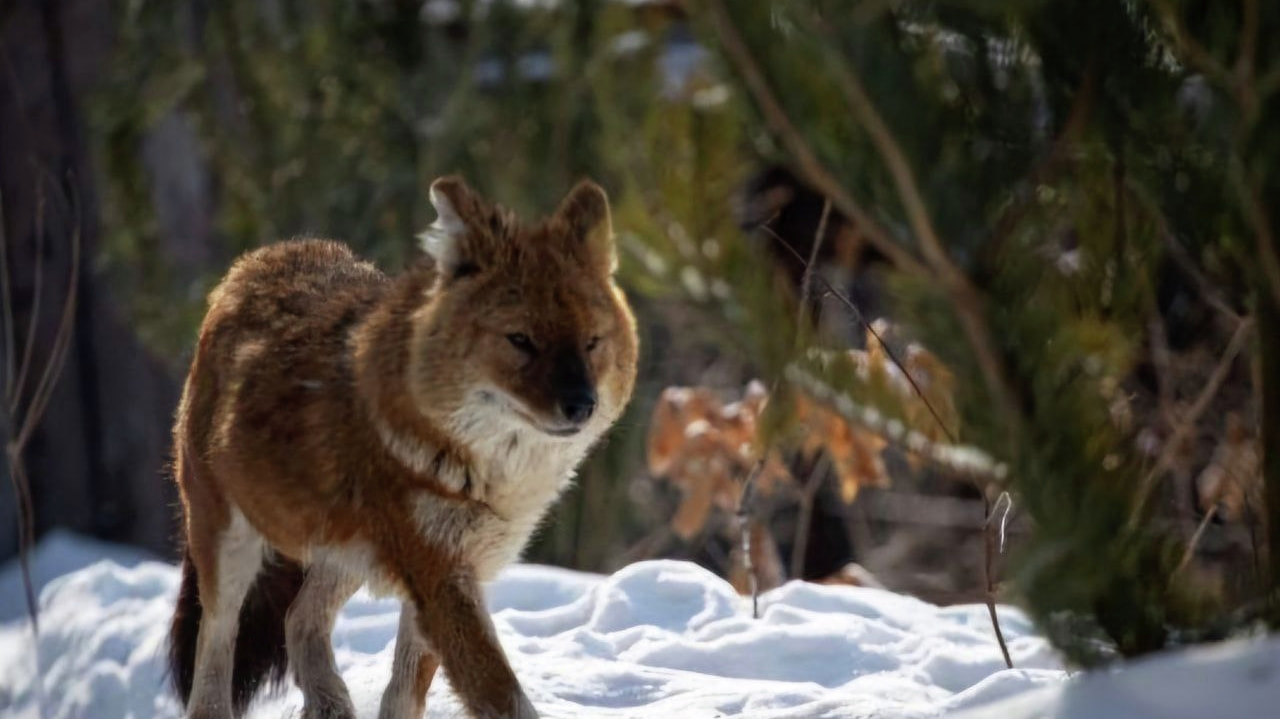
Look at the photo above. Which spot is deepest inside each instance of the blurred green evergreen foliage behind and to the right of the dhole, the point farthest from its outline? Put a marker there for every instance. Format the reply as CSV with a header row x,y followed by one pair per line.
x,y
1037,175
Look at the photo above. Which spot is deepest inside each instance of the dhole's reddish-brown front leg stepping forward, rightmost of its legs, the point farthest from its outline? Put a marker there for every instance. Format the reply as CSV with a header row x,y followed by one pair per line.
x,y
452,616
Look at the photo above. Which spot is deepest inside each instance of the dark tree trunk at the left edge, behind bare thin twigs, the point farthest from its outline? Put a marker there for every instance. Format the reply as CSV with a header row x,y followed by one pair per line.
x,y
97,459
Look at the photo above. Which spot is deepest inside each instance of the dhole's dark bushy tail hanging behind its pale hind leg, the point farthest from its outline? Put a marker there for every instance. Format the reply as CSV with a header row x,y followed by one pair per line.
x,y
260,656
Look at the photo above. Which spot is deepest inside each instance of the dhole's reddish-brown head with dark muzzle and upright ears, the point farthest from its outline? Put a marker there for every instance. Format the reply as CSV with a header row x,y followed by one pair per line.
x,y
527,328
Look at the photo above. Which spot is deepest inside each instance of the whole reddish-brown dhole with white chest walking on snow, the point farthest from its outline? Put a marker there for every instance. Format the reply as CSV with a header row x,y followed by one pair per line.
x,y
340,428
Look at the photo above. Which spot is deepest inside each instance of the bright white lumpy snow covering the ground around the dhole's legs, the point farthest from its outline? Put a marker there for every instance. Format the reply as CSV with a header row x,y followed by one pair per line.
x,y
655,640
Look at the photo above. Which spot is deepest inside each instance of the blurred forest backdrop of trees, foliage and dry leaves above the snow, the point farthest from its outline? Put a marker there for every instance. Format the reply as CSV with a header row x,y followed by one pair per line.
x,y
968,300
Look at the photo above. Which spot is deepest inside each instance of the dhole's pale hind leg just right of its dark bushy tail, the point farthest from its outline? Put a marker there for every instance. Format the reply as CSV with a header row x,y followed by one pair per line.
x,y
309,630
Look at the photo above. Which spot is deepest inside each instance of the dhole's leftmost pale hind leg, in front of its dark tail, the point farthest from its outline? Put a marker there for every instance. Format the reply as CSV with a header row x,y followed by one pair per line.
x,y
225,574
